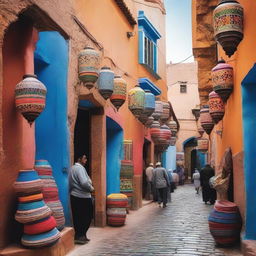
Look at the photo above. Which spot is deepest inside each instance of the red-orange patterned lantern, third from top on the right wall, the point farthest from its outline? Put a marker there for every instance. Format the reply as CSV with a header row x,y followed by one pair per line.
x,y
216,107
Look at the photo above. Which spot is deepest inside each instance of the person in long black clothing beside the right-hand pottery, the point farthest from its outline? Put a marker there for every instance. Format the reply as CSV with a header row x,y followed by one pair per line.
x,y
208,193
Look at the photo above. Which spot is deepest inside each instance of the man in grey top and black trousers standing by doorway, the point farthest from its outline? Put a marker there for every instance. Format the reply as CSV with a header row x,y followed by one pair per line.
x,y
80,188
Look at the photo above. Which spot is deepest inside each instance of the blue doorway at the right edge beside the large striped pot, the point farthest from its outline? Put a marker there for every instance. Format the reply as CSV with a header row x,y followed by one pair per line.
x,y
249,138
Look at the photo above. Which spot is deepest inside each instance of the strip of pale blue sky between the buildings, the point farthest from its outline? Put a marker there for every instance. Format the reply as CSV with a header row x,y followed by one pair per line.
x,y
178,30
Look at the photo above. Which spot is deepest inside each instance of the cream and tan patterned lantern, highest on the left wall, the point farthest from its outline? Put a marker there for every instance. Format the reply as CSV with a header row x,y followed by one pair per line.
x,y
88,66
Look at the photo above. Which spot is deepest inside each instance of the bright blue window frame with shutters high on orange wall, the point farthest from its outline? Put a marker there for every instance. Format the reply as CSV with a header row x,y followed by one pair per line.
x,y
148,36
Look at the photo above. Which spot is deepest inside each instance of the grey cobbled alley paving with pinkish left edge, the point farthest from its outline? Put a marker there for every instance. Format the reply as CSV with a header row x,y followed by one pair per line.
x,y
181,229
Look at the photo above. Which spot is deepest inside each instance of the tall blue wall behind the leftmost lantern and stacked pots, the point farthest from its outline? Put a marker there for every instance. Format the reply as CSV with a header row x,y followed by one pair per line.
x,y
52,137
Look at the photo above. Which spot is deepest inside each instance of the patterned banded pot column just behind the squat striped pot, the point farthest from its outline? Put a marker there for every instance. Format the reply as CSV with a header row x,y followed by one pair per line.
x,y
126,180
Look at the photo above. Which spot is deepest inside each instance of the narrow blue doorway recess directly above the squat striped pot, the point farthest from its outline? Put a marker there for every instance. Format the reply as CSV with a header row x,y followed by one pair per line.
x,y
114,155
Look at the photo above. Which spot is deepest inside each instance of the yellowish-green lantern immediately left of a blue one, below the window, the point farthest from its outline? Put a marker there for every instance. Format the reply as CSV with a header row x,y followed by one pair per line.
x,y
136,100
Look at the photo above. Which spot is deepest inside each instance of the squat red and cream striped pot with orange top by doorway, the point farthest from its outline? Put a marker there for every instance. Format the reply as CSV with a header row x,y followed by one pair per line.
x,y
116,209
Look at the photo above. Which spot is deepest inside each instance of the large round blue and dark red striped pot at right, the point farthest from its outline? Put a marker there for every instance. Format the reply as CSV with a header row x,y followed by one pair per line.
x,y
225,223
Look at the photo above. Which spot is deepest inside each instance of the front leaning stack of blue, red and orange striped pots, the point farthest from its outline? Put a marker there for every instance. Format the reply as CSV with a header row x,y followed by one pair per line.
x,y
39,226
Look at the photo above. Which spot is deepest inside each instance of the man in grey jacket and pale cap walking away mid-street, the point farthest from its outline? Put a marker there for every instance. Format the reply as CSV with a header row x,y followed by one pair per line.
x,y
161,183
